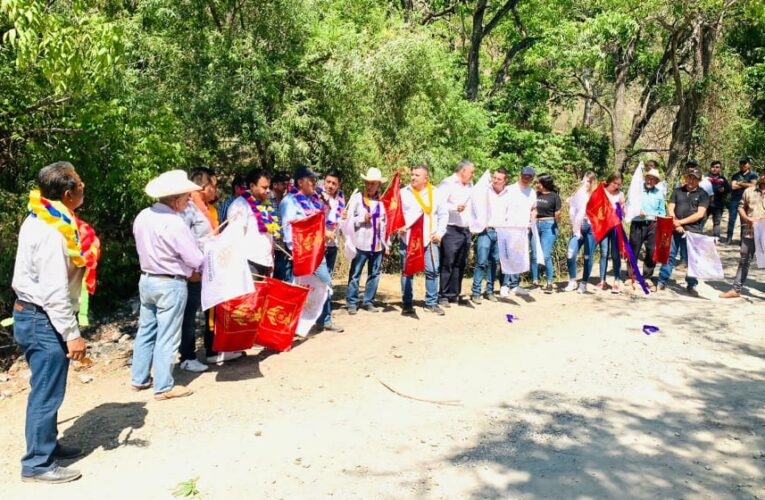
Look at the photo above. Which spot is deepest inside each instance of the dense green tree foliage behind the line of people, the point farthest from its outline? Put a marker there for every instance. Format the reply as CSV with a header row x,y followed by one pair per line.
x,y
127,88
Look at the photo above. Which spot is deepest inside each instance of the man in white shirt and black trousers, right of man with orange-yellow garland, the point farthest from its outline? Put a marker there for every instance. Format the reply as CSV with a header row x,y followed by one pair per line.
x,y
455,245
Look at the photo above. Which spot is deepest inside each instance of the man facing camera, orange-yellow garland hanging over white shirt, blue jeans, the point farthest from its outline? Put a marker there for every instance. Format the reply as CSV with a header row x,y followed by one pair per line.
x,y
419,198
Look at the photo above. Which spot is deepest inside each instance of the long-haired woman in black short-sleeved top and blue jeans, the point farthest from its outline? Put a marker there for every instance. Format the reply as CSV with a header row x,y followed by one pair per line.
x,y
548,212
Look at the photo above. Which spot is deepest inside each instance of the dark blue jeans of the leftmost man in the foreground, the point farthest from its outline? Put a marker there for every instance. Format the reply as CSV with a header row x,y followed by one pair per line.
x,y
45,352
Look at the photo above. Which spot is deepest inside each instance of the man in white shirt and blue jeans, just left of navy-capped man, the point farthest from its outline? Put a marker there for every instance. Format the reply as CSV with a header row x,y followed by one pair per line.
x,y
486,248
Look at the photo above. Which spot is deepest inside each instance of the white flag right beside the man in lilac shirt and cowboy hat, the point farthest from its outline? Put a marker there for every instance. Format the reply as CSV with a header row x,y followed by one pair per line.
x,y
225,273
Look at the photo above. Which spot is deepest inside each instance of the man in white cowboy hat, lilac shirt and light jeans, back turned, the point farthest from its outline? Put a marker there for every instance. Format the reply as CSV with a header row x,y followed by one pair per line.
x,y
169,255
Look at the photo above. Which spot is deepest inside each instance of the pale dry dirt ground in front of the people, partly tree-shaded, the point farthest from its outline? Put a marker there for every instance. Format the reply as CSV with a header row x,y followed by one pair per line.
x,y
570,400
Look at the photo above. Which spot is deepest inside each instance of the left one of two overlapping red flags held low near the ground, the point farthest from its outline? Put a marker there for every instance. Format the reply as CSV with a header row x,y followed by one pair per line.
x,y
236,320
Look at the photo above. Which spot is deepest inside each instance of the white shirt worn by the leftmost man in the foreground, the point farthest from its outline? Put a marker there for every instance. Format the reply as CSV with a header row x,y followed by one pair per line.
x,y
45,276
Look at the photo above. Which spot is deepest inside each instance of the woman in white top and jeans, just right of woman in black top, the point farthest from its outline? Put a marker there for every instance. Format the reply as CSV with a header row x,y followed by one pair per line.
x,y
582,237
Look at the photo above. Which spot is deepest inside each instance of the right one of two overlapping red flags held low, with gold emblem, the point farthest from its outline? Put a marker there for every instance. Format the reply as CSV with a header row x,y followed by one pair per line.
x,y
280,314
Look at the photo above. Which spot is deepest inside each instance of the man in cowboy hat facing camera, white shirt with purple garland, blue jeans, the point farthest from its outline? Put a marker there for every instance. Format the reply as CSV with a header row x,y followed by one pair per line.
x,y
368,215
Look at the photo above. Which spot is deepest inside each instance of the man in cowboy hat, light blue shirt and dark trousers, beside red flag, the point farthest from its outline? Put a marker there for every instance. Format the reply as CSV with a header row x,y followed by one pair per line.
x,y
643,227
